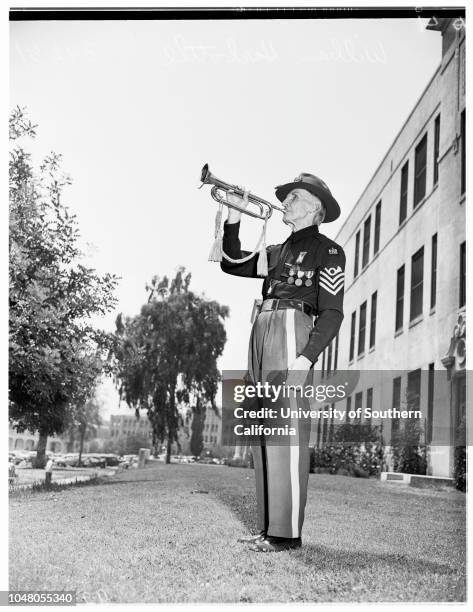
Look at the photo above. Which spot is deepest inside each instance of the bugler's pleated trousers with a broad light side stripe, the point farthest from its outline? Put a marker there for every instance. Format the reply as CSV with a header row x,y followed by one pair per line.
x,y
281,472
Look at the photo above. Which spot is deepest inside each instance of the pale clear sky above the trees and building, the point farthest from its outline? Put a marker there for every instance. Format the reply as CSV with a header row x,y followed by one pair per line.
x,y
137,107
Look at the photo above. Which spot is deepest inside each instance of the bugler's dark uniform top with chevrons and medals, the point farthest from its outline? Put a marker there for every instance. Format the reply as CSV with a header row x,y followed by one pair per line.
x,y
306,254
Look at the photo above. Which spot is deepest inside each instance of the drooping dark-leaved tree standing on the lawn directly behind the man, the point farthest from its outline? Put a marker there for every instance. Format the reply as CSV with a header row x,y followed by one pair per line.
x,y
167,355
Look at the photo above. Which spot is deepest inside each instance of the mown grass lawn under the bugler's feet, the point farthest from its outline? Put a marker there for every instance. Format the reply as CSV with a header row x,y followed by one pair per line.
x,y
153,535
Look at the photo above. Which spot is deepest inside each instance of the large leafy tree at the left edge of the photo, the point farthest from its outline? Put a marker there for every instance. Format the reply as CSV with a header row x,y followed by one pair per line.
x,y
55,354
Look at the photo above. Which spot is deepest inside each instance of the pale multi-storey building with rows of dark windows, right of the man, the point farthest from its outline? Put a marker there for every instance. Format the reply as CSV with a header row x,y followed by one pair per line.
x,y
405,278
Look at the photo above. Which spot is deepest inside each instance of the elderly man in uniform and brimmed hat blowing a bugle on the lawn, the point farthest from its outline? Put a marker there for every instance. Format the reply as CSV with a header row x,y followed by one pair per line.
x,y
305,279
